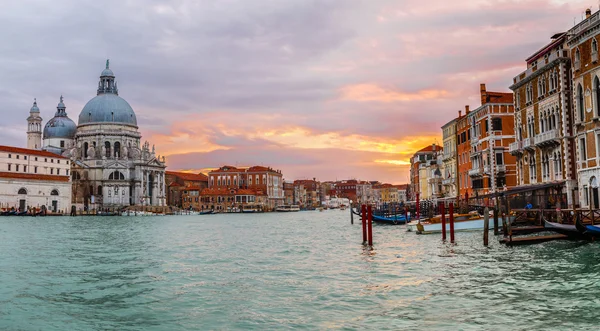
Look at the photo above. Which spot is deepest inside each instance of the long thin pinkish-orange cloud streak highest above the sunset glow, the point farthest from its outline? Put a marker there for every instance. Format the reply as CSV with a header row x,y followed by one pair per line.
x,y
372,92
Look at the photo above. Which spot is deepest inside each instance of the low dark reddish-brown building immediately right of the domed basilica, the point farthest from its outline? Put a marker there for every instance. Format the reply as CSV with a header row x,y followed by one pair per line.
x,y
180,183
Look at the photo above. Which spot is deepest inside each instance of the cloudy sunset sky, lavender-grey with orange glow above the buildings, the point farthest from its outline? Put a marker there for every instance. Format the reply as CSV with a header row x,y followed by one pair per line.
x,y
331,89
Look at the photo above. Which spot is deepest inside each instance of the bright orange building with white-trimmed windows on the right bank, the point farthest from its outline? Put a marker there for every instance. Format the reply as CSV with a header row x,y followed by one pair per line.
x,y
492,131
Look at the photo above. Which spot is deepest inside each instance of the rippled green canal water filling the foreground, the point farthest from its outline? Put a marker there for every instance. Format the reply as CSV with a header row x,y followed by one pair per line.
x,y
305,270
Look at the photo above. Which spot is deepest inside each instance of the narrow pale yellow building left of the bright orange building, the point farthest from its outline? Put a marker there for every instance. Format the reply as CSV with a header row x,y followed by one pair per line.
x,y
450,165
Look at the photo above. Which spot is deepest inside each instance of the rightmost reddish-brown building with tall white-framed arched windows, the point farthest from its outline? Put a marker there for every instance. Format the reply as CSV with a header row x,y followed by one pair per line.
x,y
583,43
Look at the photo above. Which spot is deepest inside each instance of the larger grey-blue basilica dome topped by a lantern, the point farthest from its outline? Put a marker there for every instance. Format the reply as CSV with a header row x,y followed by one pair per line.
x,y
107,106
